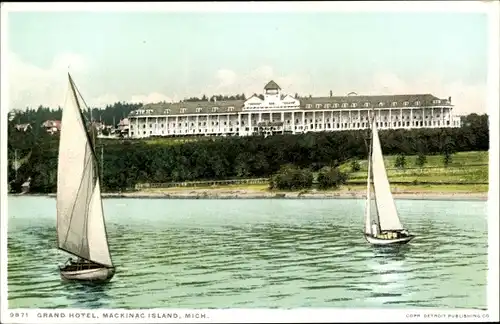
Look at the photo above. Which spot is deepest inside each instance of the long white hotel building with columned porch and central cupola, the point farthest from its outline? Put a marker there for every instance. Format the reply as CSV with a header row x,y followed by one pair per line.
x,y
278,114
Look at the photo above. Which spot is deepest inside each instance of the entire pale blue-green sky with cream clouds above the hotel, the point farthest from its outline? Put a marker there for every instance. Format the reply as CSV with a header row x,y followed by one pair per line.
x,y
155,56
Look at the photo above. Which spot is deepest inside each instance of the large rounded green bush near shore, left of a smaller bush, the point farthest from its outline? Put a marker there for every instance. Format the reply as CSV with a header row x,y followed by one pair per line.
x,y
290,177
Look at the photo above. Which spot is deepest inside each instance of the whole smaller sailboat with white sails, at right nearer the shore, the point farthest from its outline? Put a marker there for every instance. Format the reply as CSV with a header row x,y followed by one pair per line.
x,y
382,223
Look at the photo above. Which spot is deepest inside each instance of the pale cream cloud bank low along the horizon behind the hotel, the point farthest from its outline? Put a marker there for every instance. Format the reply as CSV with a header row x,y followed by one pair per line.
x,y
31,85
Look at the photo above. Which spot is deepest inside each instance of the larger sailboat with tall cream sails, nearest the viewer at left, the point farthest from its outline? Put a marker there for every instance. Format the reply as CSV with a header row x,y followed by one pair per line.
x,y
81,229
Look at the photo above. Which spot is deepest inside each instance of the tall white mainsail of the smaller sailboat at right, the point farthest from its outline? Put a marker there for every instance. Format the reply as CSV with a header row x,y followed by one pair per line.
x,y
387,213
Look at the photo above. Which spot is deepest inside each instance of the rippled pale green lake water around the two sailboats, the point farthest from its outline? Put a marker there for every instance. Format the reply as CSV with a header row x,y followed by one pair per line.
x,y
255,253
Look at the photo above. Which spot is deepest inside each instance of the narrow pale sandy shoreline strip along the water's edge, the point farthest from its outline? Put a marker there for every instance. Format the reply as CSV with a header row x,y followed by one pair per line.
x,y
254,194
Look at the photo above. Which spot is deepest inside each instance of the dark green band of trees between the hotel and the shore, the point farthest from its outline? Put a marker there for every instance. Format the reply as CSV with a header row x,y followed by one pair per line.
x,y
128,162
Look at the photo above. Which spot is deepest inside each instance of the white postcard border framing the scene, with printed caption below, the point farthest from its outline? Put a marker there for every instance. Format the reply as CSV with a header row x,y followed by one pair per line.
x,y
257,315
